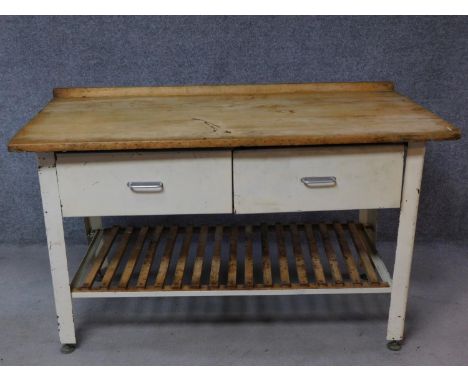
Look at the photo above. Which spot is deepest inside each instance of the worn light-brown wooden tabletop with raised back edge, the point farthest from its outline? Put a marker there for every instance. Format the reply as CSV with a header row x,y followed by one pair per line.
x,y
85,119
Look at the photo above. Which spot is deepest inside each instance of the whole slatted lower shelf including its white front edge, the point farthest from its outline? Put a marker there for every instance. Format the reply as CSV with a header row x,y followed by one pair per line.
x,y
238,260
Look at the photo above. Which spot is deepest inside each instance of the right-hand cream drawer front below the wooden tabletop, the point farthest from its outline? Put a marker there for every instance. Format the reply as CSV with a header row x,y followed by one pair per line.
x,y
271,180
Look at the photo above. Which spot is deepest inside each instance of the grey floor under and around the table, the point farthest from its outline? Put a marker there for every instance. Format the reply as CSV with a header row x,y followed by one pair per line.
x,y
296,330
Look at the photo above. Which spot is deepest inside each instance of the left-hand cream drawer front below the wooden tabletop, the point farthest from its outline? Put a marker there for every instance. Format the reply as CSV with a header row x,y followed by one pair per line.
x,y
193,182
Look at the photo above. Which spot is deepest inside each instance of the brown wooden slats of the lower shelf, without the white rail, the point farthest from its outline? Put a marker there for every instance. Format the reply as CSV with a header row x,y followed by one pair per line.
x,y
152,238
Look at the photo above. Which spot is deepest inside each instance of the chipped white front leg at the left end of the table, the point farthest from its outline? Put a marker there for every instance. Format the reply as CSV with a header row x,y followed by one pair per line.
x,y
56,246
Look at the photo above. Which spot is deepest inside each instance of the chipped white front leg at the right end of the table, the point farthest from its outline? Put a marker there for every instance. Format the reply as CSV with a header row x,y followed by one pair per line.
x,y
405,242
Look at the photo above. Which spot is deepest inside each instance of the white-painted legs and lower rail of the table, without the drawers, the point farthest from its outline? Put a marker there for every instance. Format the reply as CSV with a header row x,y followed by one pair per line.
x,y
398,287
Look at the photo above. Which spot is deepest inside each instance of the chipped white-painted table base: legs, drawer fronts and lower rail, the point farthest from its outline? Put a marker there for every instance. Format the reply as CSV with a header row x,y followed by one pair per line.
x,y
368,177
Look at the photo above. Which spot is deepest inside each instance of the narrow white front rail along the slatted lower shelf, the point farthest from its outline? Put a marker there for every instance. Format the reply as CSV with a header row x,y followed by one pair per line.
x,y
230,292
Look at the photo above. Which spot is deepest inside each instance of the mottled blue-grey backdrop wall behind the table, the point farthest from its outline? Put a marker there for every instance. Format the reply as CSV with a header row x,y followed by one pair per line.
x,y
426,57
